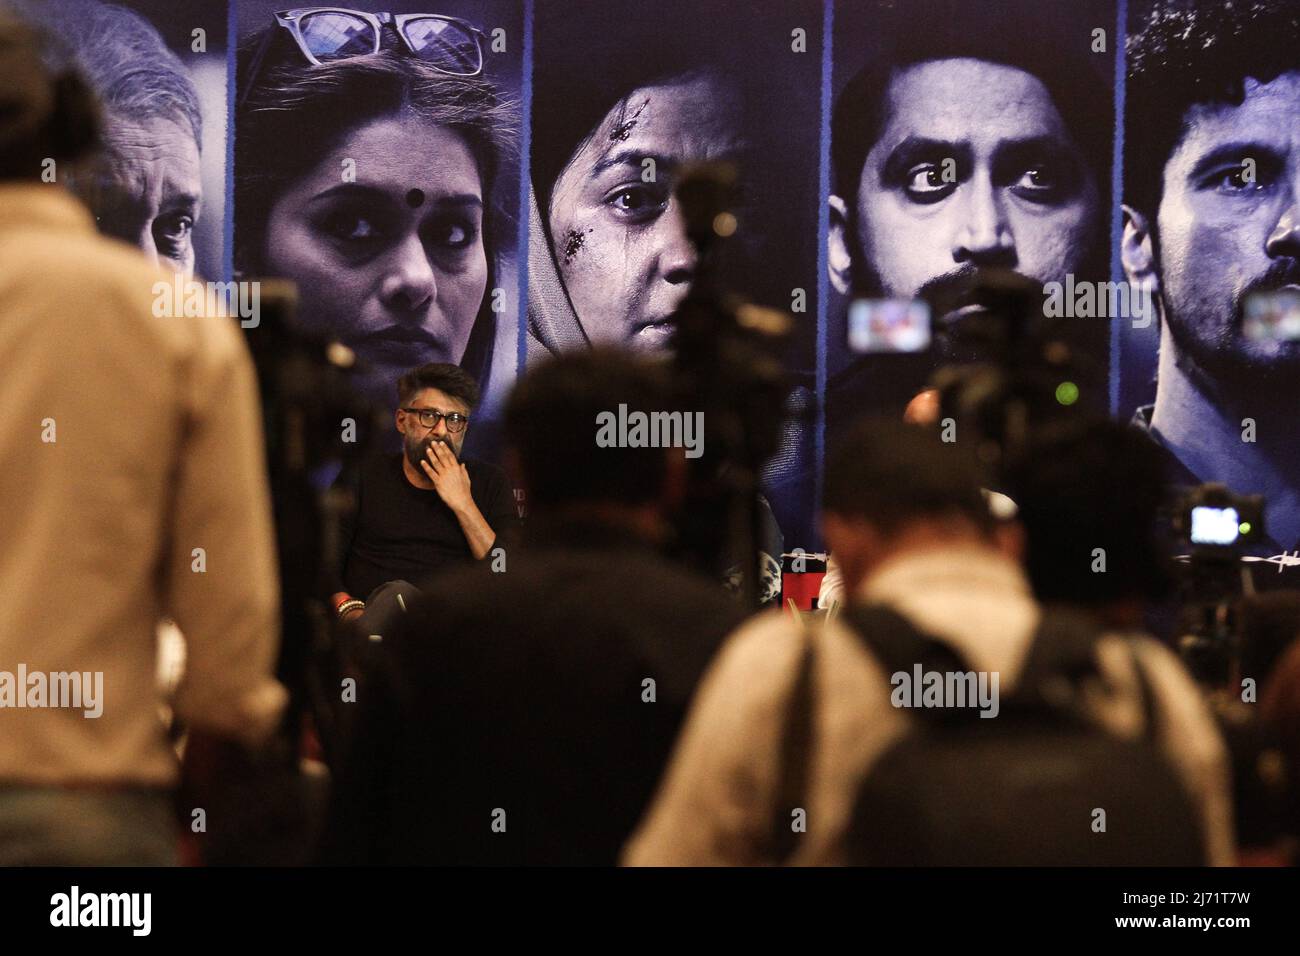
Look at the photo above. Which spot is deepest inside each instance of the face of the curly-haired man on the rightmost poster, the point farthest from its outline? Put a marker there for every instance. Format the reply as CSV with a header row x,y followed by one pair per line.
x,y
1229,226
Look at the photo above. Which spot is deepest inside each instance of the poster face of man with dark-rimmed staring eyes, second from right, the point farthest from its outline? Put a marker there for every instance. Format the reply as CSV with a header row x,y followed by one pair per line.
x,y
974,167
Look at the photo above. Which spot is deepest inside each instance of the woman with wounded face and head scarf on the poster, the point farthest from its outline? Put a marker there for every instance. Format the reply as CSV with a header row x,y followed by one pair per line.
x,y
623,98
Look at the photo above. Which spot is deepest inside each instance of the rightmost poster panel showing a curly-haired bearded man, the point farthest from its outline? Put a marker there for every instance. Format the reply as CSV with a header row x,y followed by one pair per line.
x,y
1212,224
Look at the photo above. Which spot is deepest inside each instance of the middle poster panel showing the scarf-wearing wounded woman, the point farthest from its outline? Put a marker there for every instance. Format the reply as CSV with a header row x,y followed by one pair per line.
x,y
625,94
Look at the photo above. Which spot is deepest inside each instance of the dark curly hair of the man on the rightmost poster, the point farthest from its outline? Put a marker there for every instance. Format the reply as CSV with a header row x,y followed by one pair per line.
x,y
1188,57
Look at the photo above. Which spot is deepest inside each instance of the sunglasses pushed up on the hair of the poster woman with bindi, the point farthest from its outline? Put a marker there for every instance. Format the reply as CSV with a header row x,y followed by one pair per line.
x,y
326,34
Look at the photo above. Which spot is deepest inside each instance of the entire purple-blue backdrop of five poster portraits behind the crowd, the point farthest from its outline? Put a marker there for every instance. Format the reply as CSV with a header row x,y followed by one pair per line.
x,y
950,135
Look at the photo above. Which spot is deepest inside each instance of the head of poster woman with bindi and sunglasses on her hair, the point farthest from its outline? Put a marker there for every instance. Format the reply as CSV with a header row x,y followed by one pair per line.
x,y
369,158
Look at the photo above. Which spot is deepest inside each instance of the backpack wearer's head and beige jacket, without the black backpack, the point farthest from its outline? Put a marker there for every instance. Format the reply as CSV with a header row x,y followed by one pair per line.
x,y
911,531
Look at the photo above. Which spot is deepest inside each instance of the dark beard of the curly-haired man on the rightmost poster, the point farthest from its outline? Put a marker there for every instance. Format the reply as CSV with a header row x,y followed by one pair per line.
x,y
1220,358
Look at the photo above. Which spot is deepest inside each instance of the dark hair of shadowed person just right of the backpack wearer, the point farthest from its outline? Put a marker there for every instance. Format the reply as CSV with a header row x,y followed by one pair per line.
x,y
1087,486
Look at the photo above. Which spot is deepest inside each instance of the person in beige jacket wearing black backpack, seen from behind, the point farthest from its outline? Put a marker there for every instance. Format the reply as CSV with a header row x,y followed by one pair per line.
x,y
942,717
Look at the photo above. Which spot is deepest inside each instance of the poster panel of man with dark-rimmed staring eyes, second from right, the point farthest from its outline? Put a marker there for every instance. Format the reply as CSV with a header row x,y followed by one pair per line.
x,y
964,136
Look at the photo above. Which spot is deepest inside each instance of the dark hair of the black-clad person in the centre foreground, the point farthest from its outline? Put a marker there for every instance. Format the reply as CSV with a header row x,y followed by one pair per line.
x,y
552,426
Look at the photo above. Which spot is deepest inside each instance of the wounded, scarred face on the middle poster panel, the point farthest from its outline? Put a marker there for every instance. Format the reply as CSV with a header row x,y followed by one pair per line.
x,y
619,239
